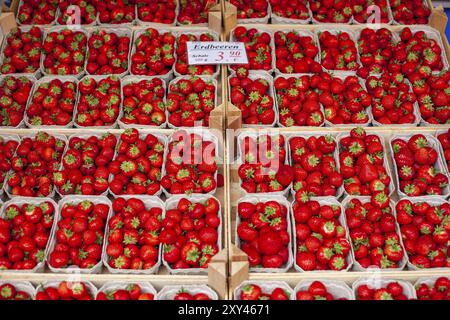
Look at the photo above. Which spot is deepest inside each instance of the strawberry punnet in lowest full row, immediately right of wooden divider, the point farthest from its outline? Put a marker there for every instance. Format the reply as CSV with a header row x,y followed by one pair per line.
x,y
264,233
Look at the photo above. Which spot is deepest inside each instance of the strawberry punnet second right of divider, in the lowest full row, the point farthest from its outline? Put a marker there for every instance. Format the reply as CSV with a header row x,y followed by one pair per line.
x,y
321,240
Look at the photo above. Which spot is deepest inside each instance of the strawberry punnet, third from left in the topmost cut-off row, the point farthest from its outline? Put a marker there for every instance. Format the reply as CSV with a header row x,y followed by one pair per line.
x,y
116,11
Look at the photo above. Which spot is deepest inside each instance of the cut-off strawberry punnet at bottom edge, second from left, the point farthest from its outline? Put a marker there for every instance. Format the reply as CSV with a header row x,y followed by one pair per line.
x,y
65,290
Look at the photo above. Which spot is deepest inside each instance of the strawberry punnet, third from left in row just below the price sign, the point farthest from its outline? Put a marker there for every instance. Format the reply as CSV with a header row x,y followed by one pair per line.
x,y
99,101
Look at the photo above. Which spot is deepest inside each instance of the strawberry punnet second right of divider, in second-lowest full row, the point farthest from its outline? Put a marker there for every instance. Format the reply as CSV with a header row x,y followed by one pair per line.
x,y
314,164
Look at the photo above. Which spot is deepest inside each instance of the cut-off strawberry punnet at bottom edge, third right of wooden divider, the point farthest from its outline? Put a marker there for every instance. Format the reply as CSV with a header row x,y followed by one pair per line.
x,y
391,291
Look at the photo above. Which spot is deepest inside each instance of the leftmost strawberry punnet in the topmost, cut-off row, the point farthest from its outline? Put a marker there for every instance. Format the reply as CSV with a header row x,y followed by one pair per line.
x,y
37,12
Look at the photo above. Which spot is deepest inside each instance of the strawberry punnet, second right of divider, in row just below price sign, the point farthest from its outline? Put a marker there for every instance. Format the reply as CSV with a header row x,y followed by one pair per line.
x,y
298,100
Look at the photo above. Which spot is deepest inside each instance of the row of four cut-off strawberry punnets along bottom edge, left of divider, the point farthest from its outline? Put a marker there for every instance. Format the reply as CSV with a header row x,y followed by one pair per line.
x,y
85,290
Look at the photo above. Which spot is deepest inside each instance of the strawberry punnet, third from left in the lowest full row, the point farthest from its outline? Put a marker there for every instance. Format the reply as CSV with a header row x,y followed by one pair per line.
x,y
133,236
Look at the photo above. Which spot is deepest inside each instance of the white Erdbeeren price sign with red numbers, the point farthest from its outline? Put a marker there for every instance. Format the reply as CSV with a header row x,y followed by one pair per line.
x,y
201,53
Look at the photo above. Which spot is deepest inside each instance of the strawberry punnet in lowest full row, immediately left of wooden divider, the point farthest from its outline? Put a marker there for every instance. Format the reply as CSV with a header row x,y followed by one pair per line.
x,y
190,232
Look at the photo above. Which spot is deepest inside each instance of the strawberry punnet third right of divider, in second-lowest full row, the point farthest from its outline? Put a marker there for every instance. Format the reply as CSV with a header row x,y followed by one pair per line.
x,y
362,163
